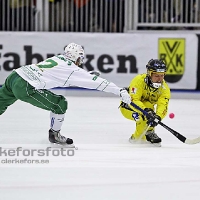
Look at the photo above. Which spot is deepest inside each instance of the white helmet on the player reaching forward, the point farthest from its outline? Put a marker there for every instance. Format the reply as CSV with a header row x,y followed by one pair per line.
x,y
75,53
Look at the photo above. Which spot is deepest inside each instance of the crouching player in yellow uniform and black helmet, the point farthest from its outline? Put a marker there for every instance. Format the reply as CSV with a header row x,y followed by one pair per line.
x,y
151,93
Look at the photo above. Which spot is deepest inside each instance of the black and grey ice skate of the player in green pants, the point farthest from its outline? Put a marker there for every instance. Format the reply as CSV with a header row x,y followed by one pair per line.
x,y
56,138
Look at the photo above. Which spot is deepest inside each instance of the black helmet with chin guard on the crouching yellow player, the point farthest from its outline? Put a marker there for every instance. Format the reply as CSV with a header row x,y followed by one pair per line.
x,y
155,66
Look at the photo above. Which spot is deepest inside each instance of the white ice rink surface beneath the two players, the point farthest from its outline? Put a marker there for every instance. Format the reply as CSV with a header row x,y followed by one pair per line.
x,y
105,166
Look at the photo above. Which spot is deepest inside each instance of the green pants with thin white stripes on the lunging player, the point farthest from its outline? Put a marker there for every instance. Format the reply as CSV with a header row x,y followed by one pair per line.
x,y
16,88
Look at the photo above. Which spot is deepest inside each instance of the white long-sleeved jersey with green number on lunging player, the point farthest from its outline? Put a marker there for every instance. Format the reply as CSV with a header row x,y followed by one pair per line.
x,y
57,71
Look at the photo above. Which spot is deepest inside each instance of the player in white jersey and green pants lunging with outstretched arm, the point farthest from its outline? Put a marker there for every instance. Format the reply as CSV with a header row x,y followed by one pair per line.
x,y
31,84
